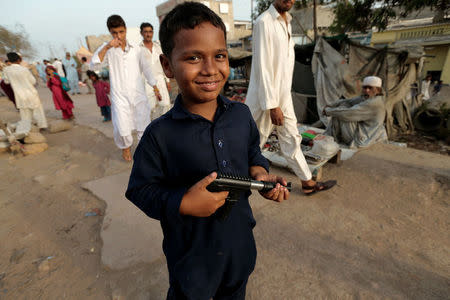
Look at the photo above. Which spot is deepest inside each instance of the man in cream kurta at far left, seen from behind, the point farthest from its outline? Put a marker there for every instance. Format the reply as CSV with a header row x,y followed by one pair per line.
x,y
27,97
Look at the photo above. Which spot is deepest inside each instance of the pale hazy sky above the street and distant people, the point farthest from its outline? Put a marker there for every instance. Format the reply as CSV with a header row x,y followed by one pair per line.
x,y
55,26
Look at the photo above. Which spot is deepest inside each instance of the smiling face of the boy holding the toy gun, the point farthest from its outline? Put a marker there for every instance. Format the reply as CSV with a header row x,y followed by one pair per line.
x,y
199,62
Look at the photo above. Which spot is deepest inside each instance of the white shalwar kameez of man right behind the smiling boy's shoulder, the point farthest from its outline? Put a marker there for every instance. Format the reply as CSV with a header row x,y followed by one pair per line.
x,y
158,107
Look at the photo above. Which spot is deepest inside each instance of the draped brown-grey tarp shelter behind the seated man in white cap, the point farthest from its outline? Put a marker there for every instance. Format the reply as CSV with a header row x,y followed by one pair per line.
x,y
339,65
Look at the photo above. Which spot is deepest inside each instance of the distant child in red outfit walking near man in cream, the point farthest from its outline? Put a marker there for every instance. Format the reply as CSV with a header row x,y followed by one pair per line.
x,y
61,99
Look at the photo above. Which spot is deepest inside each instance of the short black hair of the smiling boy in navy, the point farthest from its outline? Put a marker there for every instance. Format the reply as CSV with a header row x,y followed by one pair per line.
x,y
187,15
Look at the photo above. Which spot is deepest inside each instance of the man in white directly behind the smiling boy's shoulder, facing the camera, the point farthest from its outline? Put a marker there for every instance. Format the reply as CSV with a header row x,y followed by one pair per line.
x,y
151,51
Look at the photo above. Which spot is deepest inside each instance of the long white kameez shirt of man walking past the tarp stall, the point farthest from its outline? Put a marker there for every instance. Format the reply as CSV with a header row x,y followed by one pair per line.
x,y
272,64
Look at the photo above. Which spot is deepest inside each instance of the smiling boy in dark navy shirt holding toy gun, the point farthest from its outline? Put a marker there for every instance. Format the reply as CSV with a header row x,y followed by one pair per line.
x,y
178,156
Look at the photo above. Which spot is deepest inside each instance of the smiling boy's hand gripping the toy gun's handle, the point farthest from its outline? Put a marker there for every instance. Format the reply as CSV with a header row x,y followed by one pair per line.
x,y
199,202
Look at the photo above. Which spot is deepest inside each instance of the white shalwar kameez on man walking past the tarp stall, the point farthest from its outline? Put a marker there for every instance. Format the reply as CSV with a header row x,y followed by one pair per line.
x,y
270,86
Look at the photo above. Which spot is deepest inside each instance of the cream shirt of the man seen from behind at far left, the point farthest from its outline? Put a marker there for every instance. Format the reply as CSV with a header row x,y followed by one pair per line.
x,y
22,83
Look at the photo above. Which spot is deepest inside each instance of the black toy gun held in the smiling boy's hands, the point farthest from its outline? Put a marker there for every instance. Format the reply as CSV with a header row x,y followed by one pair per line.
x,y
235,185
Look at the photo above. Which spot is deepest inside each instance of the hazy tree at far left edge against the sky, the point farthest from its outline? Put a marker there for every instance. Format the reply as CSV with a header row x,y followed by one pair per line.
x,y
15,41
